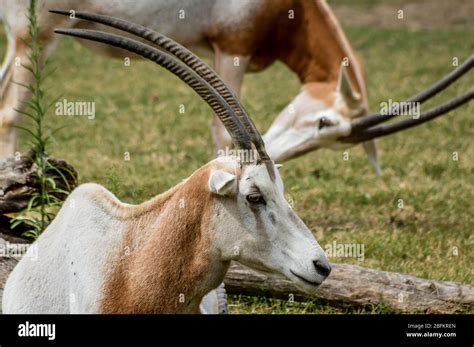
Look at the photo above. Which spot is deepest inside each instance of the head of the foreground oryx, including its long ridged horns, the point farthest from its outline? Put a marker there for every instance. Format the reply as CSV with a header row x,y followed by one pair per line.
x,y
252,223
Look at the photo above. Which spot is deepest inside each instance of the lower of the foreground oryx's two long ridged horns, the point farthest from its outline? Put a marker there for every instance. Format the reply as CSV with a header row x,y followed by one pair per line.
x,y
228,117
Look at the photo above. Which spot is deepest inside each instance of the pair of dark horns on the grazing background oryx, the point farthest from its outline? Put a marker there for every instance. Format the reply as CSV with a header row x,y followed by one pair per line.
x,y
366,128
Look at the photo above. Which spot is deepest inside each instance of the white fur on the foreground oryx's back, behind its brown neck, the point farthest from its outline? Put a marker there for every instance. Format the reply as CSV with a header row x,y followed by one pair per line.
x,y
71,262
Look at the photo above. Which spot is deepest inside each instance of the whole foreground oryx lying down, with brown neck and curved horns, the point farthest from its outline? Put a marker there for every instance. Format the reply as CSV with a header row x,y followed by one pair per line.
x,y
103,256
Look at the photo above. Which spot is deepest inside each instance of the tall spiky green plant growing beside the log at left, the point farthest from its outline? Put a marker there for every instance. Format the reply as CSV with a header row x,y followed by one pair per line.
x,y
44,202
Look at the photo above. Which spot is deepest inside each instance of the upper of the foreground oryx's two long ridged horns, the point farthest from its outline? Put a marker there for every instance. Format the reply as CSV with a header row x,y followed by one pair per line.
x,y
189,59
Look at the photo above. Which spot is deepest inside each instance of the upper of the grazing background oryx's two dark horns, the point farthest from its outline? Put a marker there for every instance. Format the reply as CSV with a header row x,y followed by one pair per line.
x,y
377,118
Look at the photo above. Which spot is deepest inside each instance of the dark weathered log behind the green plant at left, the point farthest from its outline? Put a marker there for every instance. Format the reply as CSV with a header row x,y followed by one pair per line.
x,y
18,181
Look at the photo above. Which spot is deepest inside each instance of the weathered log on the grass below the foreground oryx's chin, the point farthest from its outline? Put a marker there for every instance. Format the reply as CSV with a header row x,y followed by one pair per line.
x,y
358,286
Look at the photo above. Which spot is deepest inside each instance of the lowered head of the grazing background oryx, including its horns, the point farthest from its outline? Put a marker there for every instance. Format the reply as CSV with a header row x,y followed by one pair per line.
x,y
334,116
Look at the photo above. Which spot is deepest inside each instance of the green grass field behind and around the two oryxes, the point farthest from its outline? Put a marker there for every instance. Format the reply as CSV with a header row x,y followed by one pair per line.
x,y
137,111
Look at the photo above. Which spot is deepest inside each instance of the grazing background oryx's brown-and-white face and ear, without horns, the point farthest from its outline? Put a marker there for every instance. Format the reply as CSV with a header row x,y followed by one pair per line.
x,y
316,118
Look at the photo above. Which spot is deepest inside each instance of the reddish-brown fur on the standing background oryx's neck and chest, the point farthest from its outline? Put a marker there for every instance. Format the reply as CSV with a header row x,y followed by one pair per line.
x,y
312,44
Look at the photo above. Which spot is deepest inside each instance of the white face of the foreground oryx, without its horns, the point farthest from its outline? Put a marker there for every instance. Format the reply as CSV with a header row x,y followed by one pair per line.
x,y
255,226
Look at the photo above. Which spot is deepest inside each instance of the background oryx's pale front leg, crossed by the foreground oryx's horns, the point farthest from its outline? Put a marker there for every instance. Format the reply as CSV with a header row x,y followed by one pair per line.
x,y
231,68
